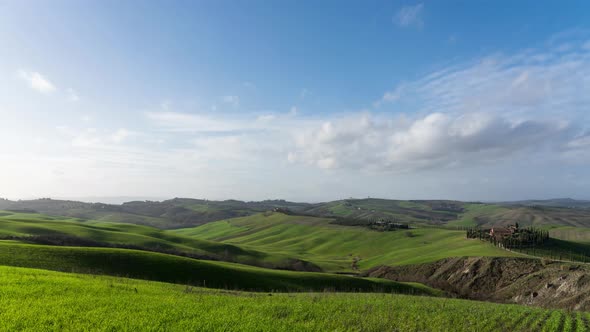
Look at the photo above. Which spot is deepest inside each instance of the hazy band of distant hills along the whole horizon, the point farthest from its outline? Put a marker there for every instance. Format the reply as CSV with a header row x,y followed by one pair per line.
x,y
188,212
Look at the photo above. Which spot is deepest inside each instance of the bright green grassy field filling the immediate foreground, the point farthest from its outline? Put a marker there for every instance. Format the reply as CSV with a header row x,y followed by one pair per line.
x,y
51,301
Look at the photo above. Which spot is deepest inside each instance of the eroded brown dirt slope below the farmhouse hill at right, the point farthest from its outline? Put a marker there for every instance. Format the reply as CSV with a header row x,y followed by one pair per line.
x,y
536,282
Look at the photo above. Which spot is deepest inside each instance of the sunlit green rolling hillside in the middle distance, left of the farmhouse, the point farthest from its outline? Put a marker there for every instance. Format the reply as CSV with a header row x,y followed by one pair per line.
x,y
335,247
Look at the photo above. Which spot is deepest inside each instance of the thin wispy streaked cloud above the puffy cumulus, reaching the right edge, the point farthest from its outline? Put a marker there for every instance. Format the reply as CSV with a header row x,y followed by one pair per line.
x,y
547,82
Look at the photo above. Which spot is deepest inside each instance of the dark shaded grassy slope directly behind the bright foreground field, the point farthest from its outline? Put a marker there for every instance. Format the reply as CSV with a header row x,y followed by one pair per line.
x,y
161,267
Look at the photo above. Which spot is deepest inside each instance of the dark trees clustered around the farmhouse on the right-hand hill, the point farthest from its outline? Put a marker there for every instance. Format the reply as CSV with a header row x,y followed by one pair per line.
x,y
513,237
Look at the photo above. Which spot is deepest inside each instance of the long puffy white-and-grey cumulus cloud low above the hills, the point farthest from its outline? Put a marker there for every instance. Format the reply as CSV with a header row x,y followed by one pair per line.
x,y
435,140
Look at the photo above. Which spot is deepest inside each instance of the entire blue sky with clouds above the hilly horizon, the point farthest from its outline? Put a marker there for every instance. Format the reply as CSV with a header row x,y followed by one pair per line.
x,y
299,100
